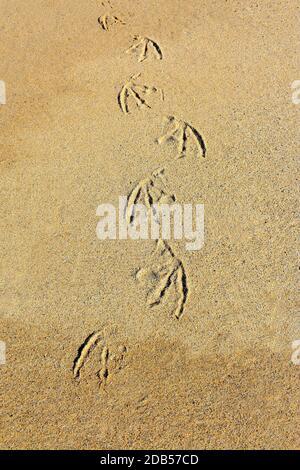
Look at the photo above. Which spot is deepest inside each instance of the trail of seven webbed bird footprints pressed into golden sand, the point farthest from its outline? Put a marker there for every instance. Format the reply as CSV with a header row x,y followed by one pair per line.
x,y
164,274
